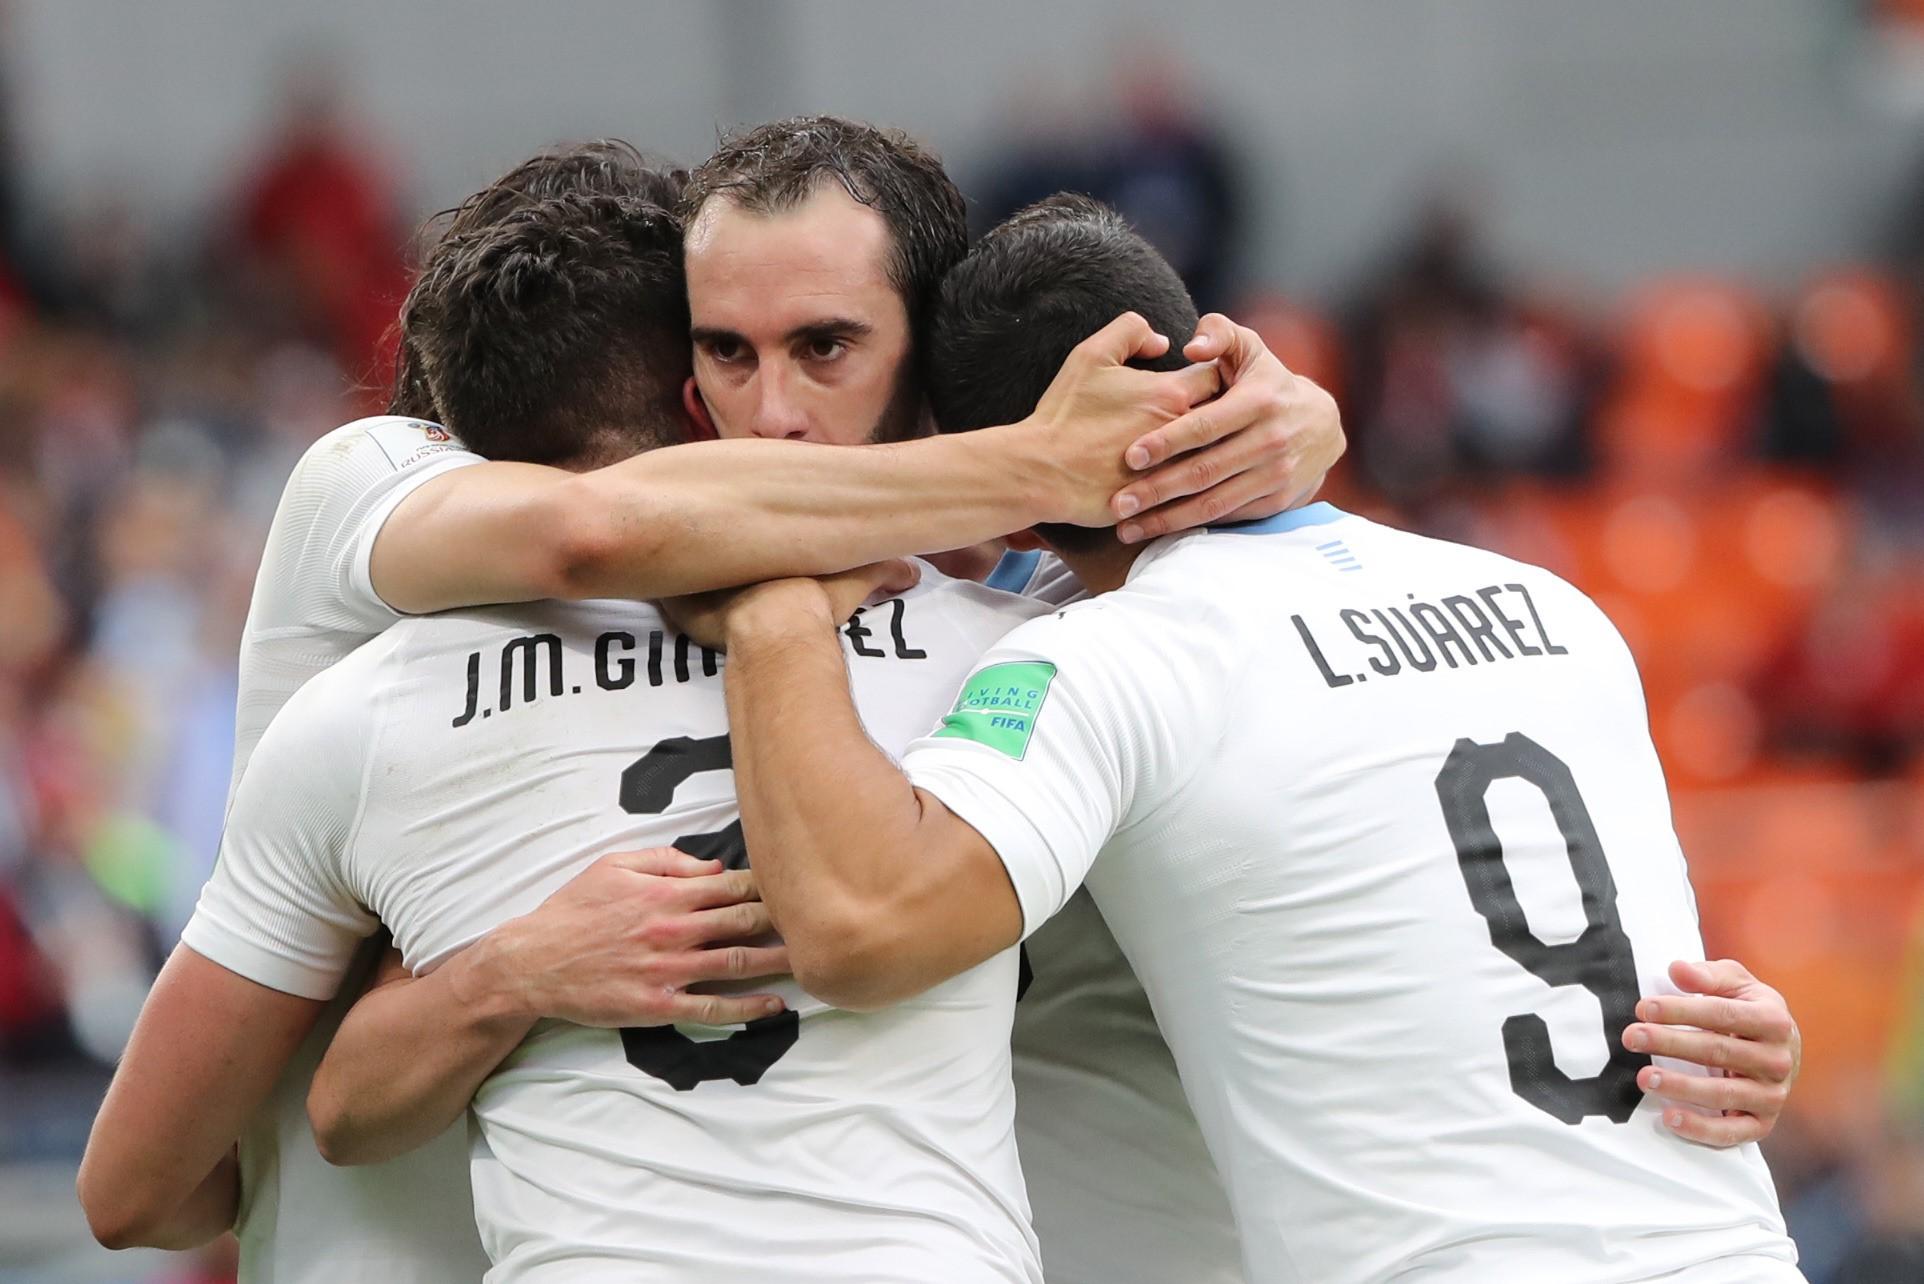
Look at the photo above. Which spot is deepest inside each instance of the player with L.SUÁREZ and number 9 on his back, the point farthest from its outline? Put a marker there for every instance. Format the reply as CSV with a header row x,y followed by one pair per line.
x,y
1375,817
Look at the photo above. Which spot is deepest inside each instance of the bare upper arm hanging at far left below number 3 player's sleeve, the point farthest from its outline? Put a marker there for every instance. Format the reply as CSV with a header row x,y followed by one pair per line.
x,y
205,1056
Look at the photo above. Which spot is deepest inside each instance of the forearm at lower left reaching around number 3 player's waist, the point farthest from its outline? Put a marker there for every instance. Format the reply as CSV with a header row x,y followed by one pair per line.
x,y
411,1056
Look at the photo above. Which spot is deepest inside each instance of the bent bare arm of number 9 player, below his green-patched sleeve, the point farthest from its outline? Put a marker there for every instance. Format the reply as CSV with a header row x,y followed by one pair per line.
x,y
876,886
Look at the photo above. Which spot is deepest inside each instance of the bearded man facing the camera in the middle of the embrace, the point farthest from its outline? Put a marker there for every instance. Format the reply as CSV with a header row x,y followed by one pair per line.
x,y
801,238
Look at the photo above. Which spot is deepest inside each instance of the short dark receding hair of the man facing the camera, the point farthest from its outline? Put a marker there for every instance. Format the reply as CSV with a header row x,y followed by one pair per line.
x,y
778,167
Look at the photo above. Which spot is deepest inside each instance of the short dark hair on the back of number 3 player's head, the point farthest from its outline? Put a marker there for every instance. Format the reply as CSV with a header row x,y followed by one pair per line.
x,y
557,332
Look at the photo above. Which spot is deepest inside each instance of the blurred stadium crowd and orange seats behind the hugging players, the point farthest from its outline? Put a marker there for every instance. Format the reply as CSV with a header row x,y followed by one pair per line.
x,y
1625,290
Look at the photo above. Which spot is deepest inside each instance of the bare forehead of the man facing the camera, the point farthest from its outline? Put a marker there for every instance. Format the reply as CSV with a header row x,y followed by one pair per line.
x,y
826,253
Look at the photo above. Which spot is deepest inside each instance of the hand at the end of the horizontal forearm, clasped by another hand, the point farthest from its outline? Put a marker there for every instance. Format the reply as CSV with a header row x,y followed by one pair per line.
x,y
1098,407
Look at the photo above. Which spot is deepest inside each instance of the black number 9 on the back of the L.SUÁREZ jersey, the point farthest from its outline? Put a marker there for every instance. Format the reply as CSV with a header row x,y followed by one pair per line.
x,y
1600,960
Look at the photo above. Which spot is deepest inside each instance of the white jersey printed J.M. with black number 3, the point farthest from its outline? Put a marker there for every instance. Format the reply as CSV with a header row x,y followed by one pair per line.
x,y
461,769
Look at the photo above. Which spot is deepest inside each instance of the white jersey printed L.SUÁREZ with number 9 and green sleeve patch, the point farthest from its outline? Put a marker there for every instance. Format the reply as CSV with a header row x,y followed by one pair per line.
x,y
1392,852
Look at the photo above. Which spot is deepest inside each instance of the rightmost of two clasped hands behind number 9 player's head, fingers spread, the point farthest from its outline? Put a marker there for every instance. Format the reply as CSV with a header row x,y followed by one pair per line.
x,y
1265,446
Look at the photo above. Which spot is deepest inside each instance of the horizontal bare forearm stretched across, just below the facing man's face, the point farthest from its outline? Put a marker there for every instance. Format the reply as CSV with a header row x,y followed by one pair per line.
x,y
722,513
